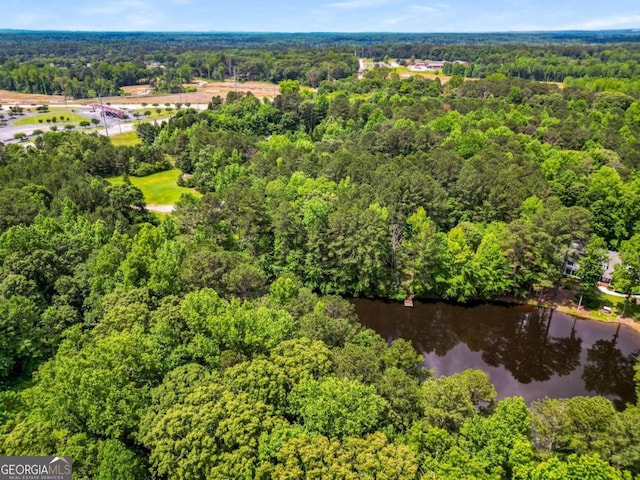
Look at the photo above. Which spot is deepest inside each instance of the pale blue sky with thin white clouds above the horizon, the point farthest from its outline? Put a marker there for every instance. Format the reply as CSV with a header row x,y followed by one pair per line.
x,y
320,15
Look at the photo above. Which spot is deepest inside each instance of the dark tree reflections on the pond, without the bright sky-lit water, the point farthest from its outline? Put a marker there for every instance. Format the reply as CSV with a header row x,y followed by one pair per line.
x,y
517,338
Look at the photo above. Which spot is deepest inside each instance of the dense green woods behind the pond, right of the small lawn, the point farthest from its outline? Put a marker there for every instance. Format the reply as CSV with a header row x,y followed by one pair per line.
x,y
458,192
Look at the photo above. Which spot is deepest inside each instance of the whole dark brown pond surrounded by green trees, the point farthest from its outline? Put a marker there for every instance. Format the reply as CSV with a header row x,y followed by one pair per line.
x,y
527,351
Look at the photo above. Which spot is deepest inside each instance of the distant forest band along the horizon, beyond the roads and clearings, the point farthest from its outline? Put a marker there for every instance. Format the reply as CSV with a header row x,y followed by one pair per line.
x,y
81,65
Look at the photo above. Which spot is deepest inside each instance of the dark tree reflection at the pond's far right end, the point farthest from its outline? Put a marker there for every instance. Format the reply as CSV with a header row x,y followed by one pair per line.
x,y
609,372
